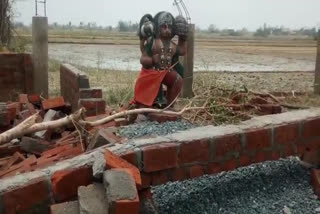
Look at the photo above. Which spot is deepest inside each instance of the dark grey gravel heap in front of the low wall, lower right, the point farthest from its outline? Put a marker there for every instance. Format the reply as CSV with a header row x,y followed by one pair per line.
x,y
270,187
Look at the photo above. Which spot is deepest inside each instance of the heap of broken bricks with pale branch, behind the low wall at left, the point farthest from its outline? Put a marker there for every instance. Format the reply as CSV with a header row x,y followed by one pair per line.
x,y
29,140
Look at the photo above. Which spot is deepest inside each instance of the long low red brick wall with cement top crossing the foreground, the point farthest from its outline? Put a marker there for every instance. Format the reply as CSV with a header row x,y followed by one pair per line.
x,y
180,156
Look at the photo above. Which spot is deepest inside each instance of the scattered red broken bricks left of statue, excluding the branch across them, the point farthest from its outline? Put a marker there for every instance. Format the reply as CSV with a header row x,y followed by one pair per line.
x,y
43,148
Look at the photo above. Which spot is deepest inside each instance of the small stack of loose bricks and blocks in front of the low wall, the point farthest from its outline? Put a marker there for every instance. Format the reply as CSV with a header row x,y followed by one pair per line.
x,y
114,191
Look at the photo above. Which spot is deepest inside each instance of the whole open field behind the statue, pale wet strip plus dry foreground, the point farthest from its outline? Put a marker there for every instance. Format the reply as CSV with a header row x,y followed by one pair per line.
x,y
269,65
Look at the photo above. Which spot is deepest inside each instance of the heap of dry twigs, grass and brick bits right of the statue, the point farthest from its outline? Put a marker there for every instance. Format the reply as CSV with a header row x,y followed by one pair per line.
x,y
228,105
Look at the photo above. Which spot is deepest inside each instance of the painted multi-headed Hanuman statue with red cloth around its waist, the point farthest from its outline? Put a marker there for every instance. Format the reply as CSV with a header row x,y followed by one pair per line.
x,y
160,59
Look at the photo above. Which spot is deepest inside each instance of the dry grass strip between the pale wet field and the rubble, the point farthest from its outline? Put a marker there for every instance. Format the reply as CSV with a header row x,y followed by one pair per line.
x,y
118,88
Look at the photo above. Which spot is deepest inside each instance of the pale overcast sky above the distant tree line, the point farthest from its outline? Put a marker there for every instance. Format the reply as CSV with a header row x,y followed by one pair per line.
x,y
234,14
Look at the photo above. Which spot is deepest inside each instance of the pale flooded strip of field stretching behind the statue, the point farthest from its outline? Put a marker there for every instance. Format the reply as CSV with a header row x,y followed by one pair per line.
x,y
221,57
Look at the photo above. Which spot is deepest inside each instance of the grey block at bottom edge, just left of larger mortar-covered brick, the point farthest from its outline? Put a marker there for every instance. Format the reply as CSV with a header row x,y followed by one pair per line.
x,y
92,199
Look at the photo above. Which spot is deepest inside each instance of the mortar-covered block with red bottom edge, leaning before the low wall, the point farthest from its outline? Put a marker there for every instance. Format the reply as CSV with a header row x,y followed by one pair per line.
x,y
121,191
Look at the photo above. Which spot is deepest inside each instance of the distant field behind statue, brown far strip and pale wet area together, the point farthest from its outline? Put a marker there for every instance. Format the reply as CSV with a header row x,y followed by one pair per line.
x,y
212,53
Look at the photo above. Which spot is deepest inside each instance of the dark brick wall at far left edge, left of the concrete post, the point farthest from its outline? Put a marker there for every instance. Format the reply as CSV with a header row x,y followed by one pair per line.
x,y
16,72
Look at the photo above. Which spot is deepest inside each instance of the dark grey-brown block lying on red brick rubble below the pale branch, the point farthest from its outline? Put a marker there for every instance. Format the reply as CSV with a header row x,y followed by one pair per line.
x,y
34,146
